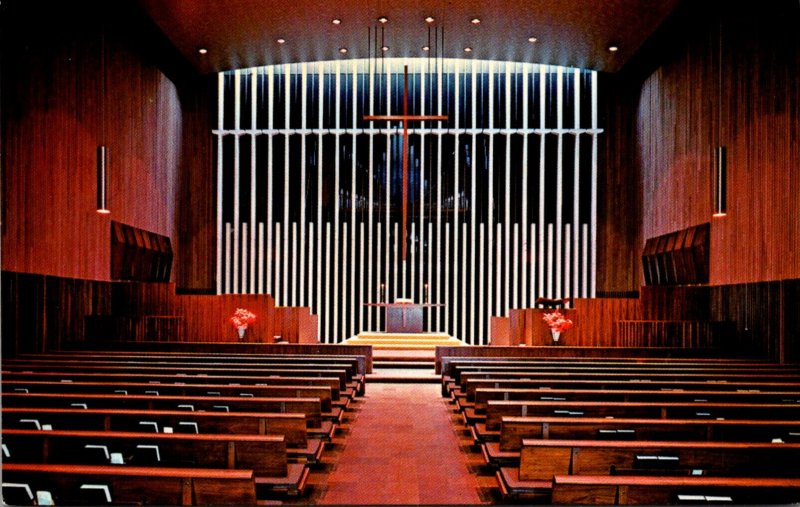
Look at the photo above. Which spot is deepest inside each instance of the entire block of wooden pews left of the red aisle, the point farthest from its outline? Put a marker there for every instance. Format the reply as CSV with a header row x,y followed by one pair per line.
x,y
167,428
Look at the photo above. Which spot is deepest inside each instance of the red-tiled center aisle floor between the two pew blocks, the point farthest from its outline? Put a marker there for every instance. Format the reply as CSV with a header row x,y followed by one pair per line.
x,y
402,448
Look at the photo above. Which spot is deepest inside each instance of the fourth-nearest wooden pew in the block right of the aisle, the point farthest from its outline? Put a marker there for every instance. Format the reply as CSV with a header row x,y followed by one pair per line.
x,y
496,409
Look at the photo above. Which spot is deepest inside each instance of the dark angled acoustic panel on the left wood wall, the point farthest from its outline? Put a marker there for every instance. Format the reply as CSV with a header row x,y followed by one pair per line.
x,y
139,255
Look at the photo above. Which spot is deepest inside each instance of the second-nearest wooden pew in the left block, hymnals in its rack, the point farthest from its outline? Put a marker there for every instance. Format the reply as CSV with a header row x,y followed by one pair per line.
x,y
264,454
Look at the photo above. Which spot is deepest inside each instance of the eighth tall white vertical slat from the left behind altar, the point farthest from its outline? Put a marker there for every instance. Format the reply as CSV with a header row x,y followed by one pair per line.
x,y
336,199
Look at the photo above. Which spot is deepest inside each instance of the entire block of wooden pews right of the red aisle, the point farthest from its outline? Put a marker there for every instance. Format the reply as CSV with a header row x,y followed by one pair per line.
x,y
632,431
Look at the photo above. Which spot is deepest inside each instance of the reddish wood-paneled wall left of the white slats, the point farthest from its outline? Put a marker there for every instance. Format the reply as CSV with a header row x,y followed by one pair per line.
x,y
77,76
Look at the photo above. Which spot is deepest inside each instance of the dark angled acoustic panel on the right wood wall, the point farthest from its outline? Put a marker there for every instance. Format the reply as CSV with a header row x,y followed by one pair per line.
x,y
677,258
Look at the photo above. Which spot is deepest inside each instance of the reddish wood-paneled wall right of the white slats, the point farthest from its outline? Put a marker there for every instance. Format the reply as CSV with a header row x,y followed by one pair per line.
x,y
719,73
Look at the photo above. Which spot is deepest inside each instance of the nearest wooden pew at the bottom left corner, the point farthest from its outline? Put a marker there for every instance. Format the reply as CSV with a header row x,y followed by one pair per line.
x,y
136,485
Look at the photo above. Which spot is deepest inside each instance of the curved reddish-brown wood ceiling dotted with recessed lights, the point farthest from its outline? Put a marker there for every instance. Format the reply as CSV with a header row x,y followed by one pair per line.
x,y
244,33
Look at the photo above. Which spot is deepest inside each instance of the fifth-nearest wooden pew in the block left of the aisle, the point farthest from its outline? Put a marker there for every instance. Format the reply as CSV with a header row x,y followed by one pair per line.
x,y
39,386
